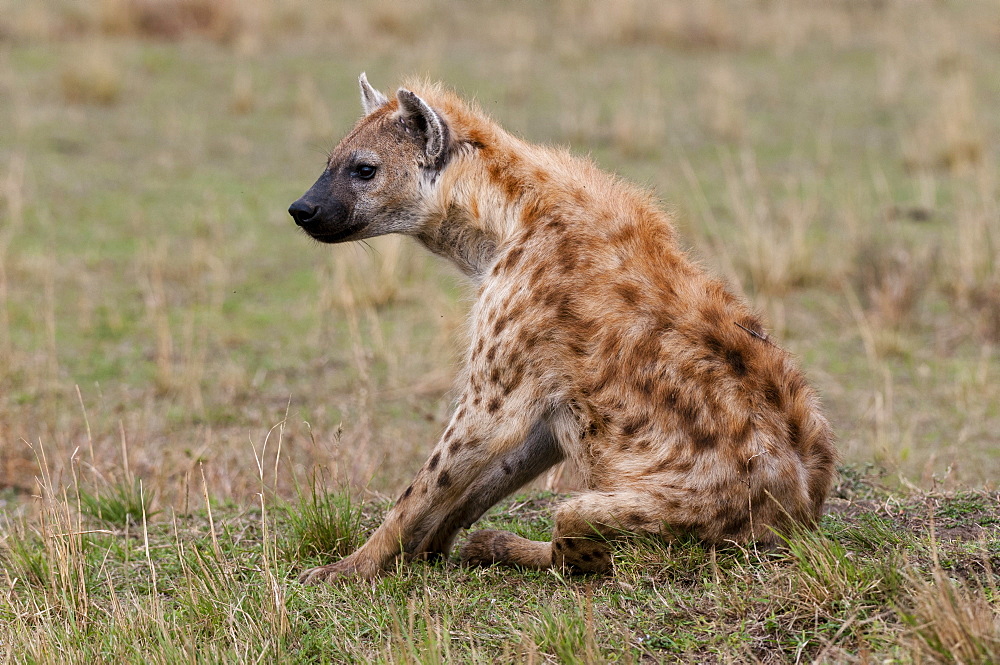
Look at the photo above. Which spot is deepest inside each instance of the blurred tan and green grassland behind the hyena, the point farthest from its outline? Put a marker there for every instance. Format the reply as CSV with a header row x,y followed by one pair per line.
x,y
161,318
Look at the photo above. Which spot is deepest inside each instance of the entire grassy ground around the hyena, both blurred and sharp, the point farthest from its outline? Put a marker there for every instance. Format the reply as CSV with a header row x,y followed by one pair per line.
x,y
162,324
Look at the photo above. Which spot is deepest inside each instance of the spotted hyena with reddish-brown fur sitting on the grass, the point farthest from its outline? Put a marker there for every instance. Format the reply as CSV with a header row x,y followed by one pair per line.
x,y
594,339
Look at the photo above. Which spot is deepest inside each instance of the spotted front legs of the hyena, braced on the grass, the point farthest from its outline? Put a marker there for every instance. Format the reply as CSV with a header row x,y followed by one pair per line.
x,y
481,458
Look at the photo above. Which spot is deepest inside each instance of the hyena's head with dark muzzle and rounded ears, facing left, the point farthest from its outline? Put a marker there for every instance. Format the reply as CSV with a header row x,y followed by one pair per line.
x,y
378,177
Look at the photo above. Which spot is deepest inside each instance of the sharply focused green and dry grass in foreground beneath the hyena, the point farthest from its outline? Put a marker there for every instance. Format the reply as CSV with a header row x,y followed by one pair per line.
x,y
219,584
